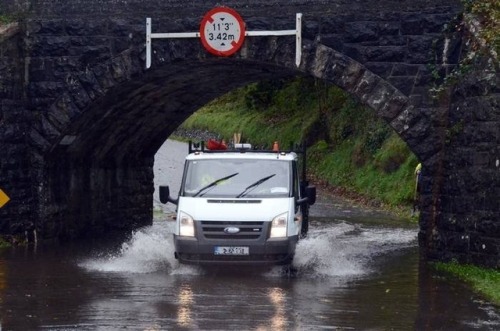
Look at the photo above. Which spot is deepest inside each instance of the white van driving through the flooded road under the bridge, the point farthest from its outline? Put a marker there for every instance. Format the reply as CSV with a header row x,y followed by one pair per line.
x,y
240,207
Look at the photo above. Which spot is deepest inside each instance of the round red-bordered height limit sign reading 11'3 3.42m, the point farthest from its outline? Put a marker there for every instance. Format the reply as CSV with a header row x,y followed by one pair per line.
x,y
222,31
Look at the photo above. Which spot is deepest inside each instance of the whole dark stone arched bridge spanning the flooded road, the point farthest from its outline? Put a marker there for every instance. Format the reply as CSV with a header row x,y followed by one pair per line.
x,y
81,118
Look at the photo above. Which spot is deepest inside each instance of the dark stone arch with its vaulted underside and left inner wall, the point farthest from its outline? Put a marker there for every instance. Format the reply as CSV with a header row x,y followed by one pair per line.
x,y
101,134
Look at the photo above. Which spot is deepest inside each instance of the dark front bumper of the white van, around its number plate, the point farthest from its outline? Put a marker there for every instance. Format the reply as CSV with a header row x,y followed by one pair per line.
x,y
276,251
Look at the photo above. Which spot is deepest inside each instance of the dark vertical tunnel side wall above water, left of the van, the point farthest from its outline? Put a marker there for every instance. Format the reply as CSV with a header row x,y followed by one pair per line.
x,y
93,200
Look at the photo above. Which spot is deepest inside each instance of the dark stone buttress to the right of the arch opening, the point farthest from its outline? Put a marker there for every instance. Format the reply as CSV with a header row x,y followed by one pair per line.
x,y
468,228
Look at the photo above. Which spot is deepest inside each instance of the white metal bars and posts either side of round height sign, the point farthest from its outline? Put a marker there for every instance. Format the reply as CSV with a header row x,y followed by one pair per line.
x,y
297,32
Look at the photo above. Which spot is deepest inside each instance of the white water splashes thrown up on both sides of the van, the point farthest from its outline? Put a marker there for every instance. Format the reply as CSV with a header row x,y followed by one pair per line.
x,y
331,250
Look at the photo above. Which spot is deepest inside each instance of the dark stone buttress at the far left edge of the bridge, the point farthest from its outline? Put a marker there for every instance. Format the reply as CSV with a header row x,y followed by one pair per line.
x,y
15,157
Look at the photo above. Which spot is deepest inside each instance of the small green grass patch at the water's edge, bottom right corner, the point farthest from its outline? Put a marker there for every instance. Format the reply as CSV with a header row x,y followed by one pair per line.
x,y
484,281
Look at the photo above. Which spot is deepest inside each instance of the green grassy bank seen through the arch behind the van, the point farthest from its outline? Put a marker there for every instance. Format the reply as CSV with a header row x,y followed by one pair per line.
x,y
349,147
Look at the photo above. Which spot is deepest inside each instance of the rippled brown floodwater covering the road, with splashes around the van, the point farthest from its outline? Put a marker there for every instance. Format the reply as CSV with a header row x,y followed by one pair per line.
x,y
357,270
